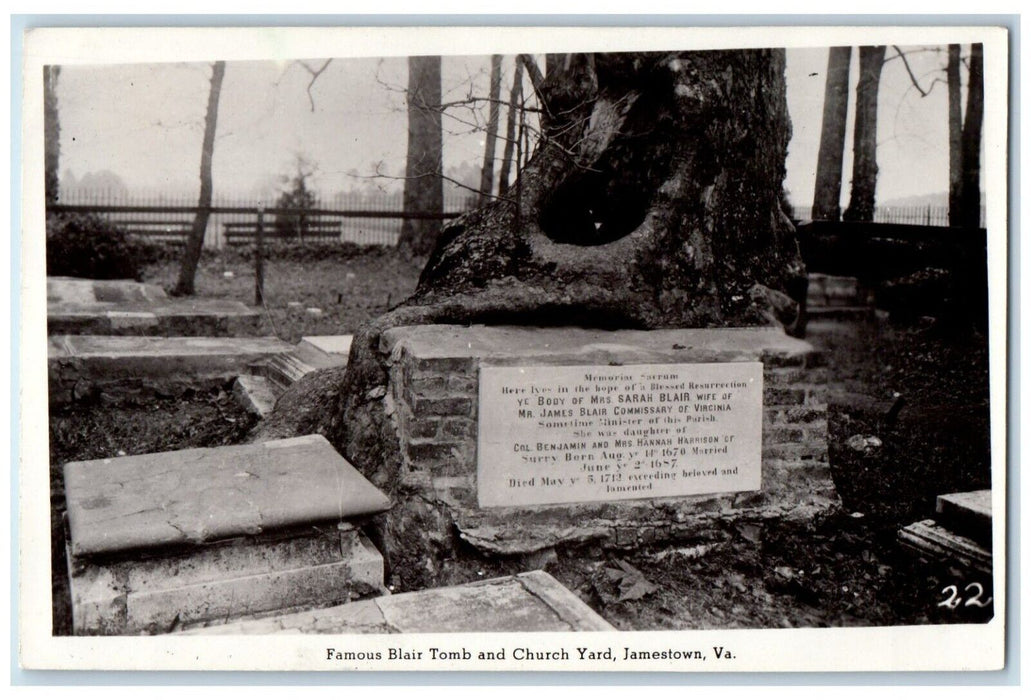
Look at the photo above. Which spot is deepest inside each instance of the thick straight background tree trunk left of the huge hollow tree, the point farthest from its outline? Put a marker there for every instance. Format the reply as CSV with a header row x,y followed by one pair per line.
x,y
424,170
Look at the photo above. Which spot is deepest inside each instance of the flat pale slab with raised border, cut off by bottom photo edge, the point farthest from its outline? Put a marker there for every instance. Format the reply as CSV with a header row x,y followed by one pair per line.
x,y
526,603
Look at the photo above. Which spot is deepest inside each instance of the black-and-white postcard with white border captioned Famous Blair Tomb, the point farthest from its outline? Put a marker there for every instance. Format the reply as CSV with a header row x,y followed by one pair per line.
x,y
502,349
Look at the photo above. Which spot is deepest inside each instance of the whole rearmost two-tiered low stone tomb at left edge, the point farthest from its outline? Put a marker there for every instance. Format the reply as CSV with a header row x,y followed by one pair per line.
x,y
124,308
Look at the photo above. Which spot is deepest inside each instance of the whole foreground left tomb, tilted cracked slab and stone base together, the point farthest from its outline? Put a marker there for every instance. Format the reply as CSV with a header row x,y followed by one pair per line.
x,y
160,541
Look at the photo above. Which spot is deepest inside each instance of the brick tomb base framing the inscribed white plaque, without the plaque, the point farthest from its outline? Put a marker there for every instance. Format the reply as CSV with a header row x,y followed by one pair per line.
x,y
436,406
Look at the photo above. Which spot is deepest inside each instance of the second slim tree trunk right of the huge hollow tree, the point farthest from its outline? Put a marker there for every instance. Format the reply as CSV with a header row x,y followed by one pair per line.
x,y
864,166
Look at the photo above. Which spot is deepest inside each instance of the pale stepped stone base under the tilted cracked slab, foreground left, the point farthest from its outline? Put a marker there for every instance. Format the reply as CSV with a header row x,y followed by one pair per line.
x,y
156,592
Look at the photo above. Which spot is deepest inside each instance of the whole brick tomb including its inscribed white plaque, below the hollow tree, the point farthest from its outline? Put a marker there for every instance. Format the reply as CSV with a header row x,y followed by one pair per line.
x,y
447,395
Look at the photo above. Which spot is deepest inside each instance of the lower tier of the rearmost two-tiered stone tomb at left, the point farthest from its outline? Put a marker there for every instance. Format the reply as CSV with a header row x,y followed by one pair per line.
x,y
152,315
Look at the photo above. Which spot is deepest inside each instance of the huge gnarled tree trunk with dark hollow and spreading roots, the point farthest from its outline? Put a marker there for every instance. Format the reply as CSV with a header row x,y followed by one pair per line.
x,y
653,201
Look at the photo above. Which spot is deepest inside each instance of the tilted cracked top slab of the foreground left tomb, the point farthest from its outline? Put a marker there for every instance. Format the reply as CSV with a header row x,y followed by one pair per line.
x,y
196,496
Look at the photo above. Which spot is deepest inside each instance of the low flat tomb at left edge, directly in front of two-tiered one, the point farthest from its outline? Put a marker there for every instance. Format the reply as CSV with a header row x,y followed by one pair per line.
x,y
86,365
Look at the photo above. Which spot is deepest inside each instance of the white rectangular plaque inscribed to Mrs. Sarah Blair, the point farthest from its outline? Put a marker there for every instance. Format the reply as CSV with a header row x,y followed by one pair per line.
x,y
593,434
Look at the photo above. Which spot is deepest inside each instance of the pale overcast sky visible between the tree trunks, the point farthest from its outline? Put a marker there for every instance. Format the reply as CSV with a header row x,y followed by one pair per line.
x,y
145,123
